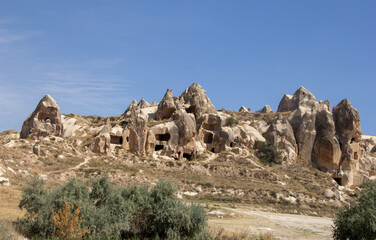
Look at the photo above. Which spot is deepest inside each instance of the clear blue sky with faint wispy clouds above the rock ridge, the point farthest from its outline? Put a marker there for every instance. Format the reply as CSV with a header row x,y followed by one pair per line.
x,y
95,57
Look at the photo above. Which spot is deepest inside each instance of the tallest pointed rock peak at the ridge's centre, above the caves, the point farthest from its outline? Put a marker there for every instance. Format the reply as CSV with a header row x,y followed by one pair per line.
x,y
194,100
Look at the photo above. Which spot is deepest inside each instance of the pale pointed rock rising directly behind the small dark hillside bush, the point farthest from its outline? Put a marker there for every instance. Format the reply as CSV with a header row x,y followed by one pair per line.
x,y
281,135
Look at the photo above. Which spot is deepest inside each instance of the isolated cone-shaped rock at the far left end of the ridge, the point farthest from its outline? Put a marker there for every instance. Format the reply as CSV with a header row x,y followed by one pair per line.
x,y
44,121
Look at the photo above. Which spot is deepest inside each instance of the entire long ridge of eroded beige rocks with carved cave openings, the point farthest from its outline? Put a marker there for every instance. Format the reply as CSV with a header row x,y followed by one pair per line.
x,y
188,127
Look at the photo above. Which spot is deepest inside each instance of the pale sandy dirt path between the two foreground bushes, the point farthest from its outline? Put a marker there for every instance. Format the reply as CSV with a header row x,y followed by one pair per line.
x,y
283,226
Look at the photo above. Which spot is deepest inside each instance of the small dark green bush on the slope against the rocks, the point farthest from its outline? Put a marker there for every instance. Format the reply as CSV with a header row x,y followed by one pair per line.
x,y
268,153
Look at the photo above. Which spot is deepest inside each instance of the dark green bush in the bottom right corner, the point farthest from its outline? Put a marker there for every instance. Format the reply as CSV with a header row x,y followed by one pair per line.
x,y
358,221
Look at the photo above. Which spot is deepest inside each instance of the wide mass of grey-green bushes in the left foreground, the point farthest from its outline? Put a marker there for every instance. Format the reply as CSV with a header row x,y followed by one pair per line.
x,y
102,210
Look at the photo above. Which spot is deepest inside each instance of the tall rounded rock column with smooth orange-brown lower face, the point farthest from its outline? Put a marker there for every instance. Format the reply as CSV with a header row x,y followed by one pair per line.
x,y
326,151
